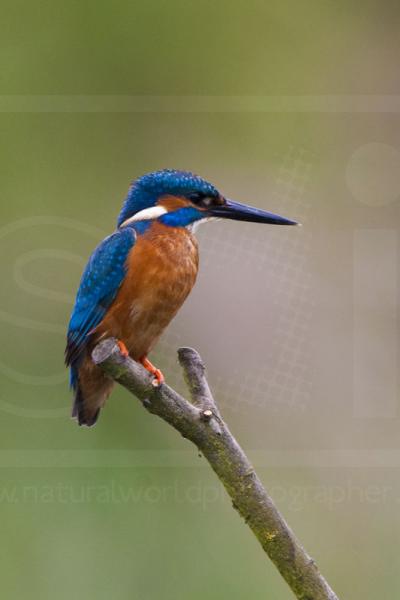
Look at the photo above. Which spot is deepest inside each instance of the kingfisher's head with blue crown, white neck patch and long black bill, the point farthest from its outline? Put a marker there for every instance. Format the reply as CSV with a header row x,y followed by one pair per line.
x,y
180,199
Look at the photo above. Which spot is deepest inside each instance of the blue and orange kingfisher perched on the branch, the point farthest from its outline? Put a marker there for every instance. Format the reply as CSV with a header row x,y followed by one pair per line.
x,y
139,276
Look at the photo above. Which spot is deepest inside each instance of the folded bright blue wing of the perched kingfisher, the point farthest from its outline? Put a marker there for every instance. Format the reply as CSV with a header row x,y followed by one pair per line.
x,y
99,285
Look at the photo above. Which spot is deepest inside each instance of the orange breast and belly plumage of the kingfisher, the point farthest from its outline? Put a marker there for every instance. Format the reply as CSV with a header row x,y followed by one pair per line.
x,y
162,269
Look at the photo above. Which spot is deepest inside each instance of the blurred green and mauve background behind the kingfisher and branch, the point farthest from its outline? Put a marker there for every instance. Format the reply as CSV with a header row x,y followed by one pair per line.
x,y
289,106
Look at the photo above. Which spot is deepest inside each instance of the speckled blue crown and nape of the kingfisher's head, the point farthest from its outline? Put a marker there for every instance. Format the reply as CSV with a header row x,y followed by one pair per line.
x,y
145,191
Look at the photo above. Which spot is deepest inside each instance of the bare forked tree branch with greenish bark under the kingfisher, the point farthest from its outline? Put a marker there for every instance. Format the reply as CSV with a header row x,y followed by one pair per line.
x,y
200,422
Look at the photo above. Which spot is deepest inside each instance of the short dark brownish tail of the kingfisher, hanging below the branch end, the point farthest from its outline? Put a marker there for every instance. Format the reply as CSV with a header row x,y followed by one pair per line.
x,y
92,389
